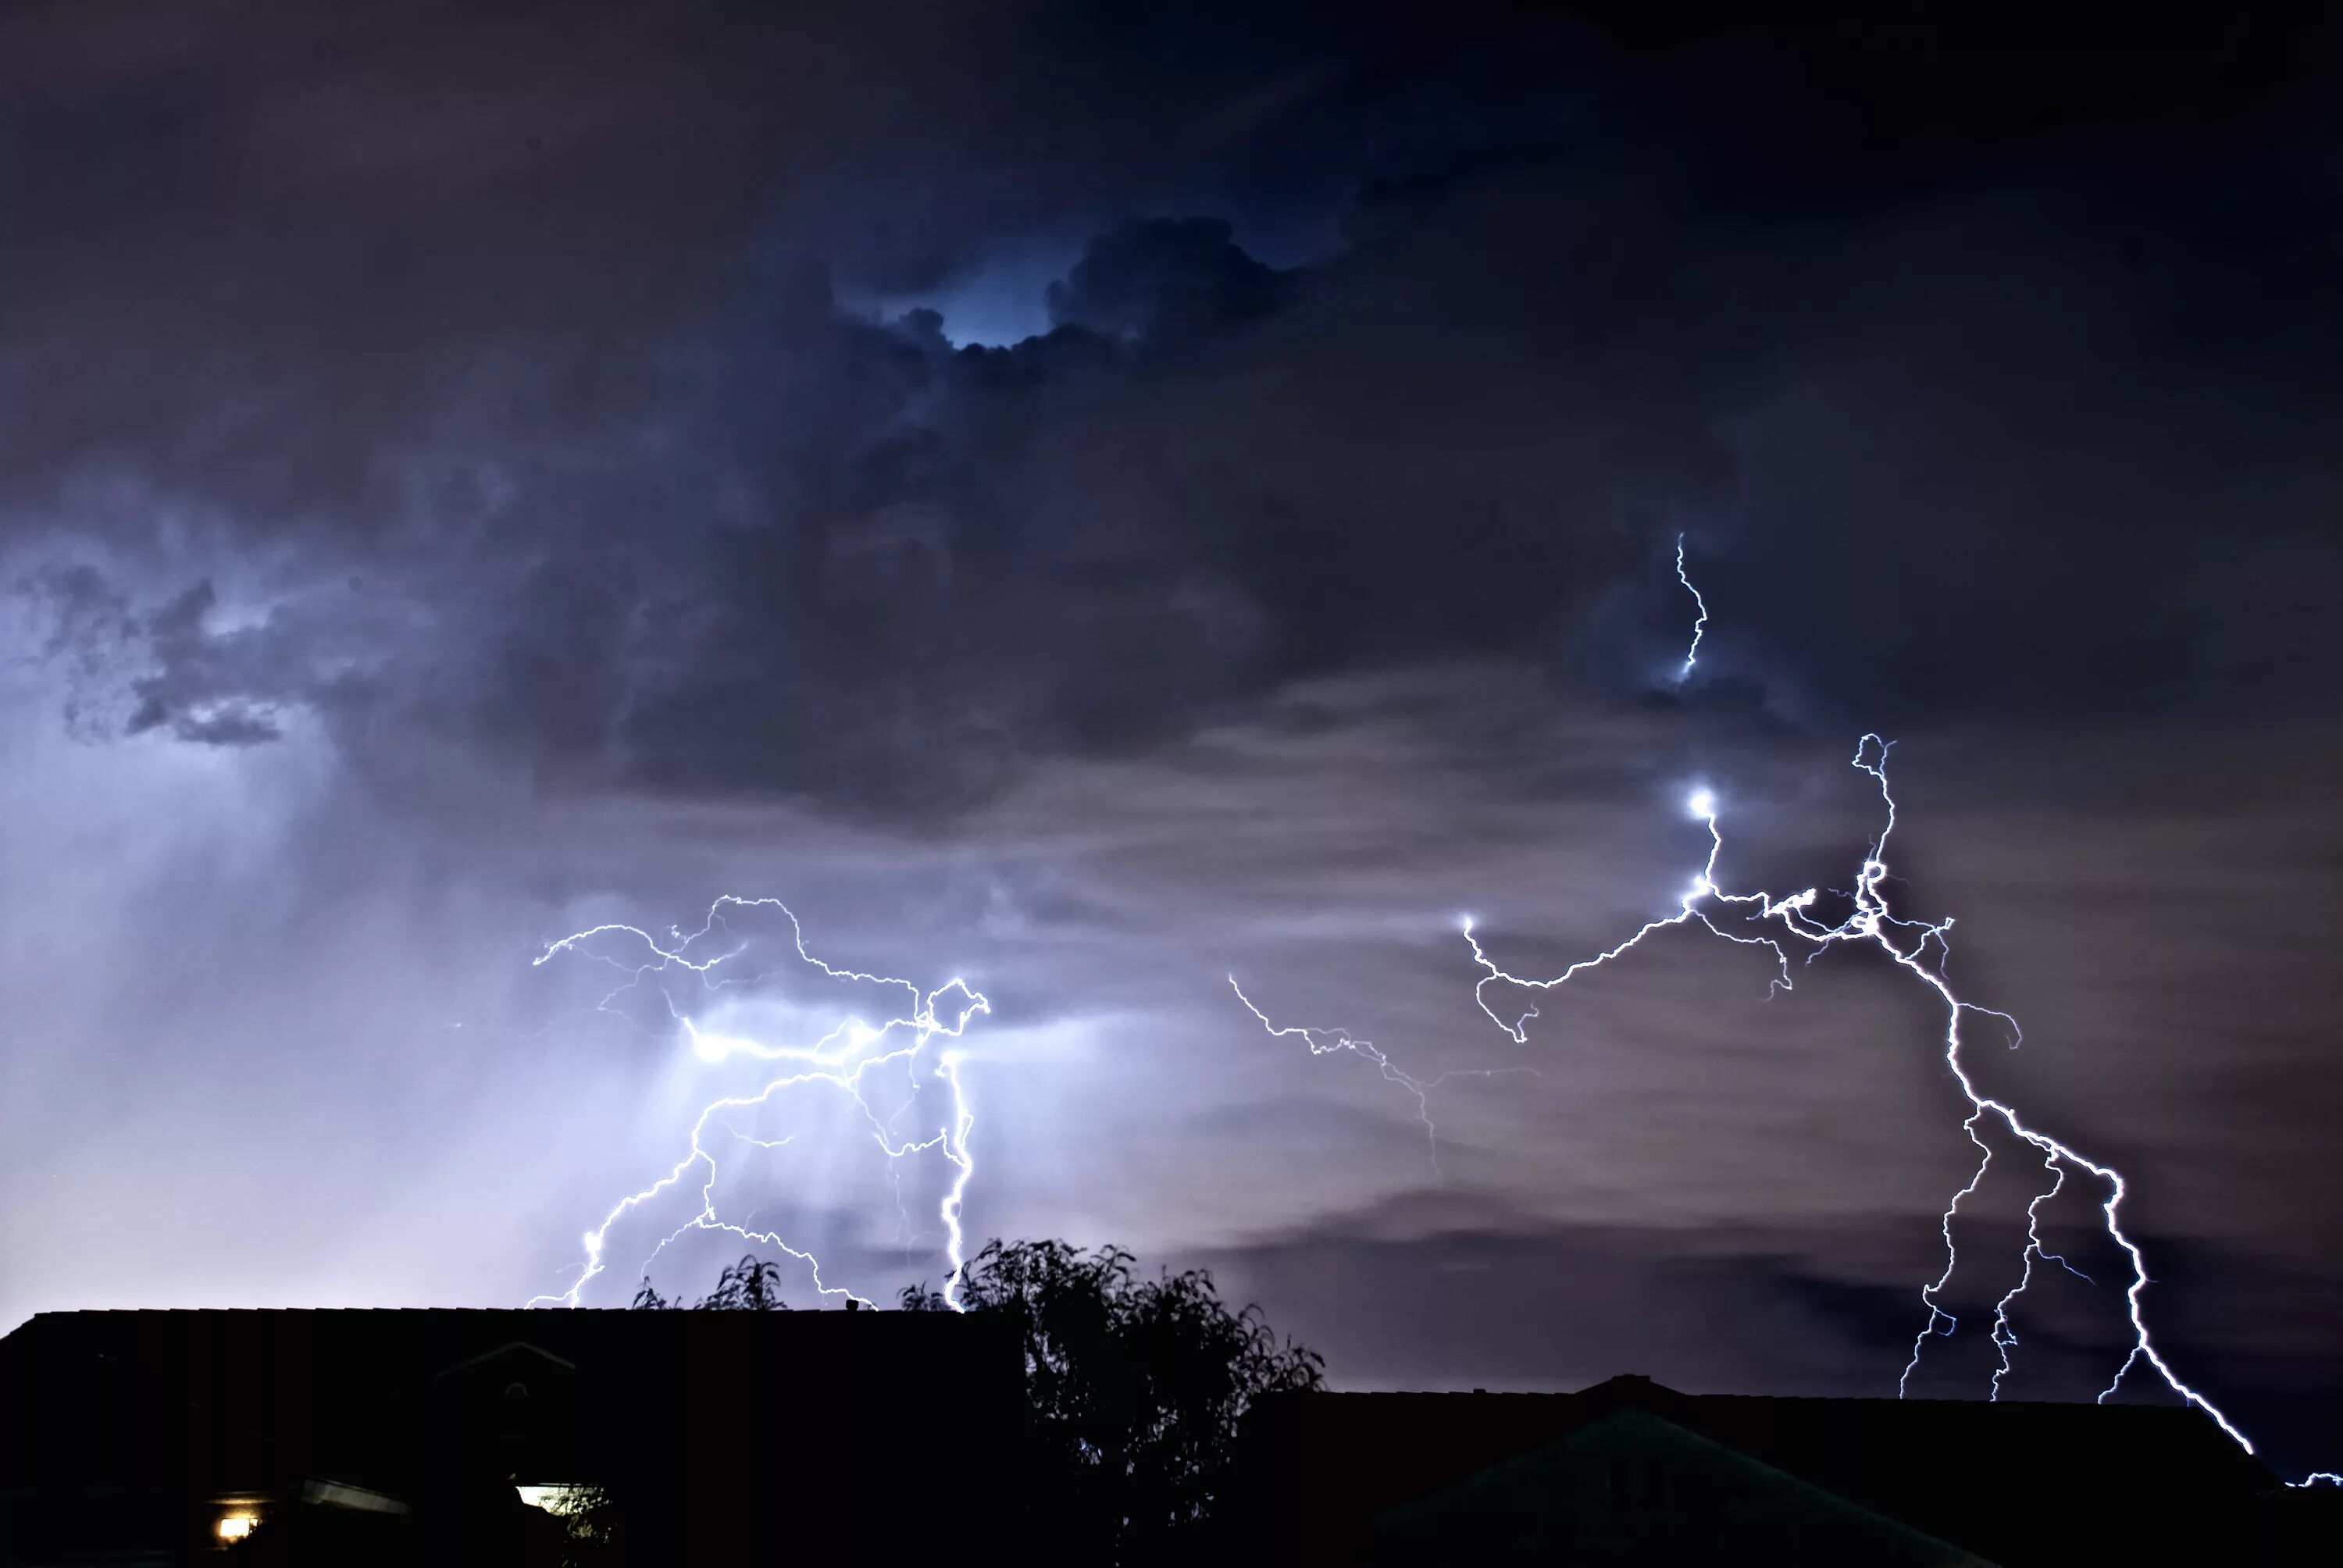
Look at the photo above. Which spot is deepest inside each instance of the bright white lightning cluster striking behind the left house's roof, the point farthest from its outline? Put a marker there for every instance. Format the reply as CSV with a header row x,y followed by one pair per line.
x,y
840,1061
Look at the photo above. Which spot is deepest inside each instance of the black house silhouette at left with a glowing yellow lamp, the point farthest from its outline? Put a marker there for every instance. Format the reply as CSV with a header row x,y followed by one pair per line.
x,y
407,1436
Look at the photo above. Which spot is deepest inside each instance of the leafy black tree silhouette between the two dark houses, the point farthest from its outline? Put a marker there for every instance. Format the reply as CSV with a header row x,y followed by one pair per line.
x,y
1138,1386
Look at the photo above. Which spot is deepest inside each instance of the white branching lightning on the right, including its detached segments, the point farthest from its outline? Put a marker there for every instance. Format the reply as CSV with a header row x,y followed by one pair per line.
x,y
1908,943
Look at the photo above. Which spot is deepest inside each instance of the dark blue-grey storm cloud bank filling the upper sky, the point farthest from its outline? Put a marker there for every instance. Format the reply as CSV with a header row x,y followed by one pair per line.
x,y
538,327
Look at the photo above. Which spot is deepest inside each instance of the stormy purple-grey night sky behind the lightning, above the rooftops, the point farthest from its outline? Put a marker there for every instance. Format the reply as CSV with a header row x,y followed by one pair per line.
x,y
1095,500
